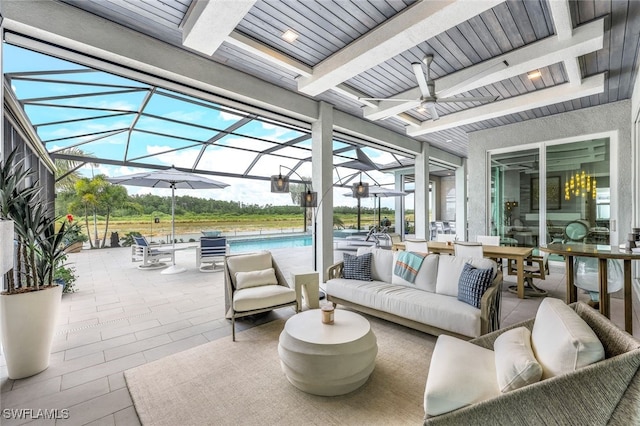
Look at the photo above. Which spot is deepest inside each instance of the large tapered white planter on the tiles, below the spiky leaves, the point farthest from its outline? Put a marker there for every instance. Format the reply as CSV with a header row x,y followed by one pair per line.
x,y
28,324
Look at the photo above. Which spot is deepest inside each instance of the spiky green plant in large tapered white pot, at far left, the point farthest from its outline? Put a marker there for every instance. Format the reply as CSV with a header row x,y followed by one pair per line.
x,y
30,300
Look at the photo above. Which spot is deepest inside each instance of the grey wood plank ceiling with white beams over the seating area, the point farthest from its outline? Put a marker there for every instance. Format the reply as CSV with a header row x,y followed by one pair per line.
x,y
586,52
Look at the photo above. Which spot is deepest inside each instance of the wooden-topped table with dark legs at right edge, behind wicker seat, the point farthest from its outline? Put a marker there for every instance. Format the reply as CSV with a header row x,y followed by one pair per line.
x,y
602,253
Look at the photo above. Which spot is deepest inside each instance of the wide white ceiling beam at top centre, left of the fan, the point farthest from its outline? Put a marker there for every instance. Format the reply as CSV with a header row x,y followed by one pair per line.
x,y
420,22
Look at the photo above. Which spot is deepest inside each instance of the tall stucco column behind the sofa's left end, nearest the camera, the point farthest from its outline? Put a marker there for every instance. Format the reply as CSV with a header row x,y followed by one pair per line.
x,y
322,175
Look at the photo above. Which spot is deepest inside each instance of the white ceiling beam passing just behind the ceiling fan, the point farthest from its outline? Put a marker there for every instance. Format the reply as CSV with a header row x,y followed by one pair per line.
x,y
586,39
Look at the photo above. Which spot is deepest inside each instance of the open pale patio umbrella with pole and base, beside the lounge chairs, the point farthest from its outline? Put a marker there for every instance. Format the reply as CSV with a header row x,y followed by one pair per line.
x,y
174,179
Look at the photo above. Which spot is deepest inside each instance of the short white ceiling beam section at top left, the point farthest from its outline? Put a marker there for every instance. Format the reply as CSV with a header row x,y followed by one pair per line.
x,y
210,21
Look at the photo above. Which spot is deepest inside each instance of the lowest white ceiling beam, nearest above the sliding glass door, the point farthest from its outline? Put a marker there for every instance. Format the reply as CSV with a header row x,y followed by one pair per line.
x,y
552,95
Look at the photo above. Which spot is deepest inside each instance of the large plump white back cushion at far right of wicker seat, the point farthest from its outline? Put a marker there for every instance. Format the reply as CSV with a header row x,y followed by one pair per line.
x,y
562,341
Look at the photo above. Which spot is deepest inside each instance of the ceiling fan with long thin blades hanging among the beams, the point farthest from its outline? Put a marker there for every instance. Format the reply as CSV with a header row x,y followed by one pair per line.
x,y
428,98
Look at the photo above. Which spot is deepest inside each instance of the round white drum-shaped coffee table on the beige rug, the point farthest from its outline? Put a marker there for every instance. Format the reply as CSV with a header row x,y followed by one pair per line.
x,y
324,359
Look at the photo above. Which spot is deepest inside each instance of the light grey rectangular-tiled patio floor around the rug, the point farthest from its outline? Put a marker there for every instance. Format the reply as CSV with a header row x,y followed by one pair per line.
x,y
122,317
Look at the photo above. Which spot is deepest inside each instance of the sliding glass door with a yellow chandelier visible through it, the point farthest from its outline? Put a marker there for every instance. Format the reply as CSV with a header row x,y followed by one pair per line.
x,y
555,192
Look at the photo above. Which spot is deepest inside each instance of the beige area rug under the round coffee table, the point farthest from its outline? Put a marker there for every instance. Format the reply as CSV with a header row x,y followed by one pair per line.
x,y
241,383
